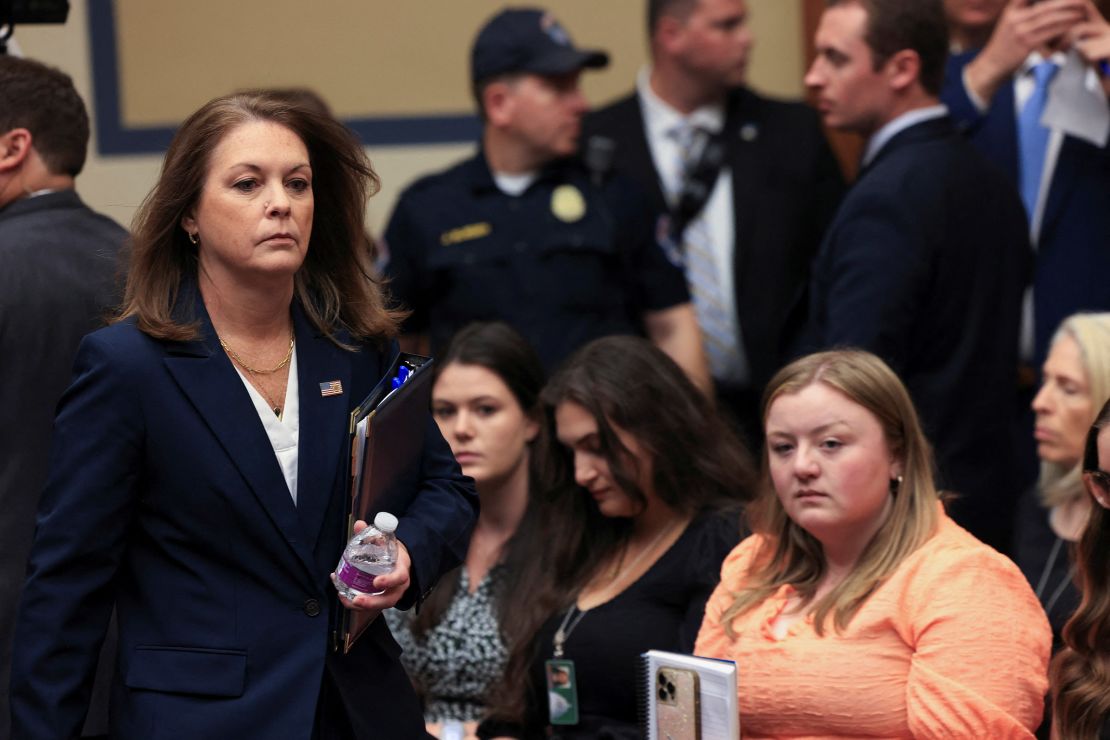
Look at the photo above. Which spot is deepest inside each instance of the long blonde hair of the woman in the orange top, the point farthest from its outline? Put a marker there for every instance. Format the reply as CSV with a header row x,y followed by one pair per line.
x,y
791,554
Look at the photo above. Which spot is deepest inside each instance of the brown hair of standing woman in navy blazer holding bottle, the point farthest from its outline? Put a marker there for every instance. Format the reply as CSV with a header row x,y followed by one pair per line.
x,y
336,285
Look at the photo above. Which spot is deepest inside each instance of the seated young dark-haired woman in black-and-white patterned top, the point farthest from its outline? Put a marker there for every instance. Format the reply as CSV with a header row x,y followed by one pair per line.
x,y
487,402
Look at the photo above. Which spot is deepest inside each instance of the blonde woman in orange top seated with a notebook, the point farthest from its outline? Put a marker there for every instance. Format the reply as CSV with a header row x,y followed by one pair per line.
x,y
860,609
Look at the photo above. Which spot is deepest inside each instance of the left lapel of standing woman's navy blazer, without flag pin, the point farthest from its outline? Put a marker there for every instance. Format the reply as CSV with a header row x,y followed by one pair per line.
x,y
210,382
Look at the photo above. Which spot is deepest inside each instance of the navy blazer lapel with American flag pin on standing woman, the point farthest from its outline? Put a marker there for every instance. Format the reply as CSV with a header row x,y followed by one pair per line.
x,y
324,422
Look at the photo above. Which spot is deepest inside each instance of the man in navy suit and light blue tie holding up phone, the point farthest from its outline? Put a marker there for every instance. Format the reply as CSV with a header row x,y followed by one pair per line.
x,y
1068,195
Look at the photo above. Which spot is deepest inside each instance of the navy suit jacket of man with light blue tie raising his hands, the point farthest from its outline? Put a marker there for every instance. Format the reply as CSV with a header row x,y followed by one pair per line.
x,y
1073,268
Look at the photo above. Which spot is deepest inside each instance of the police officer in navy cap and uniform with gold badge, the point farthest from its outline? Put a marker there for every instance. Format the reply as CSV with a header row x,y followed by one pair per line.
x,y
524,232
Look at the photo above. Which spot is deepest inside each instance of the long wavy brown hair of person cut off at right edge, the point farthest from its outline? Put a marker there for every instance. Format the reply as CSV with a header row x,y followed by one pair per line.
x,y
1081,673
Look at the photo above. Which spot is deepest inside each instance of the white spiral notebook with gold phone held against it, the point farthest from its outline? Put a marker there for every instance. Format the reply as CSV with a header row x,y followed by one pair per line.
x,y
688,698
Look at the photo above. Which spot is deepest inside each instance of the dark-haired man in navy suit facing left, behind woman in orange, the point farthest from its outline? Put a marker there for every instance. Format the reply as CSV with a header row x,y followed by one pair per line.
x,y
927,258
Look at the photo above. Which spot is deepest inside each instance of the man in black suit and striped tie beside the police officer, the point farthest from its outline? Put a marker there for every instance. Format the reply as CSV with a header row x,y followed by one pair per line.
x,y
750,246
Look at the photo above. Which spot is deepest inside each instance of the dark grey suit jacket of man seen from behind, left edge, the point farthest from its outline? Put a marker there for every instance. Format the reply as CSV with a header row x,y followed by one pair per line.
x,y
58,262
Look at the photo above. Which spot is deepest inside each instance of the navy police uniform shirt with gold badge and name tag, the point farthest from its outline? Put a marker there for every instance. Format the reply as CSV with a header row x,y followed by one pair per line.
x,y
566,262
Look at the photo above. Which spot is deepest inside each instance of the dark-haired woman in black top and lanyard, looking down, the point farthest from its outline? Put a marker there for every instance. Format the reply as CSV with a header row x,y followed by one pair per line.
x,y
641,496
